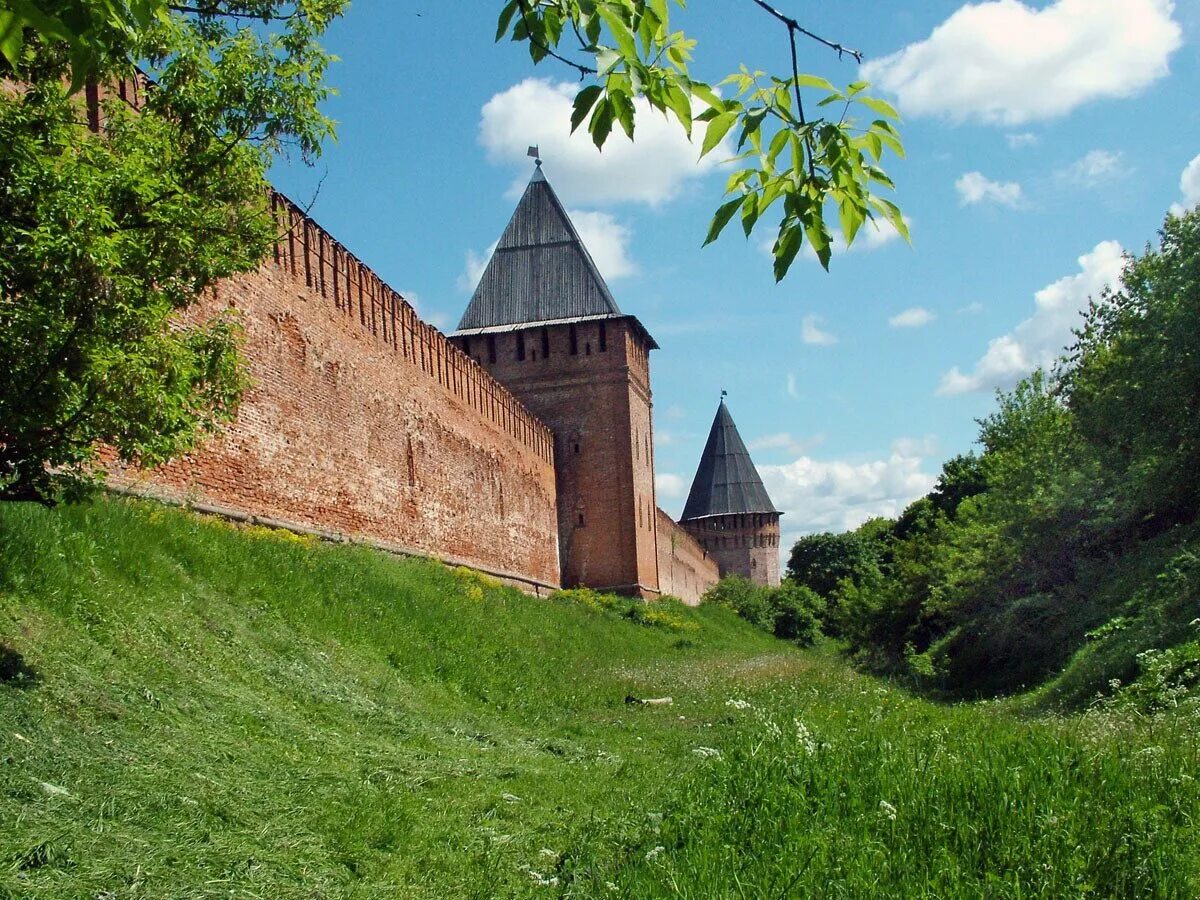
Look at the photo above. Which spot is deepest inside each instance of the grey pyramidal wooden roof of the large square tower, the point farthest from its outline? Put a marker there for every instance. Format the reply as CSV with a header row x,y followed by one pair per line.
x,y
541,271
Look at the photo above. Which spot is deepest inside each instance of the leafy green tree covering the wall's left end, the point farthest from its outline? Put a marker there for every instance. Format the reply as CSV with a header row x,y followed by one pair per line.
x,y
107,238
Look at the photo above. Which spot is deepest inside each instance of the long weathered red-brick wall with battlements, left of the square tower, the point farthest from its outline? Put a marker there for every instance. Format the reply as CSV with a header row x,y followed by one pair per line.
x,y
365,421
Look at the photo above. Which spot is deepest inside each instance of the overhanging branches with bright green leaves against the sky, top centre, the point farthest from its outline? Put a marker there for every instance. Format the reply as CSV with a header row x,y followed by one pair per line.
x,y
789,164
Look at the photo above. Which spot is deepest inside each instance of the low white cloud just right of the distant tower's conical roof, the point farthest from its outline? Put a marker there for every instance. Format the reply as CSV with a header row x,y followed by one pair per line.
x,y
835,496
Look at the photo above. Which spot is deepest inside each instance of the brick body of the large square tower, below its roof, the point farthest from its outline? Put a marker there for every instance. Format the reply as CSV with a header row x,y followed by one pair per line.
x,y
590,382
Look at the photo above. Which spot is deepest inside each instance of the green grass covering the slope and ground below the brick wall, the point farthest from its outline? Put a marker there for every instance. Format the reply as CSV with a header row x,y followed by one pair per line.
x,y
218,712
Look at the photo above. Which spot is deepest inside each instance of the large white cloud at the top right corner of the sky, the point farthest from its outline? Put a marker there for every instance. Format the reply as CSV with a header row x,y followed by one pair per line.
x,y
1006,63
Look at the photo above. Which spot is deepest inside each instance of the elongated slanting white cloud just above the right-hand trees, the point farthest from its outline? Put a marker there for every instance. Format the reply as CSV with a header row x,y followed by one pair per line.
x,y
1041,339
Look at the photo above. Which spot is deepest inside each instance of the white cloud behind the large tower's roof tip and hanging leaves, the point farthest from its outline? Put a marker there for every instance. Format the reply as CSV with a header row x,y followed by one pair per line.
x,y
653,169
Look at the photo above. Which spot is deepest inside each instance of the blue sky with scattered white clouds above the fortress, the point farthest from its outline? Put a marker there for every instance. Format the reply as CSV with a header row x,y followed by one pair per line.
x,y
1043,139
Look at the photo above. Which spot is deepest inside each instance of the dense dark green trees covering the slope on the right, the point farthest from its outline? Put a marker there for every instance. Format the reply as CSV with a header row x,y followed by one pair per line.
x,y
1069,547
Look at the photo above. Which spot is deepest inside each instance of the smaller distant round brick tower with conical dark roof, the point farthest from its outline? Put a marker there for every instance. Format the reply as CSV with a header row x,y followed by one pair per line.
x,y
729,511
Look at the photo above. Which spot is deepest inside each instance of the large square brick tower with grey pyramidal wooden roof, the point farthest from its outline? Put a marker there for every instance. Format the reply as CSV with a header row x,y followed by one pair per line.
x,y
544,325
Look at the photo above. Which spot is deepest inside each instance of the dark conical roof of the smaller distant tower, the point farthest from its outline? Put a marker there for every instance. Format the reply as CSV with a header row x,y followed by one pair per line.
x,y
727,482
